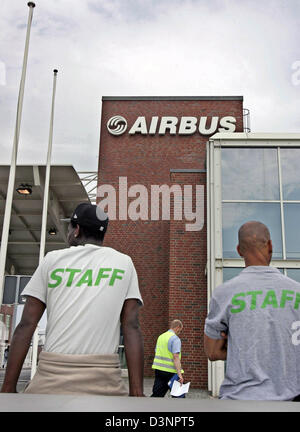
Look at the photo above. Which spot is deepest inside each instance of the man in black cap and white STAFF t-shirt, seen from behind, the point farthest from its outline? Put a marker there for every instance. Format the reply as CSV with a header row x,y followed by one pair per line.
x,y
88,290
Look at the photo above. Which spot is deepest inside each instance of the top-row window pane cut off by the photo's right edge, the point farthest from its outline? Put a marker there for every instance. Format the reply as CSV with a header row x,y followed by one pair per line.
x,y
290,161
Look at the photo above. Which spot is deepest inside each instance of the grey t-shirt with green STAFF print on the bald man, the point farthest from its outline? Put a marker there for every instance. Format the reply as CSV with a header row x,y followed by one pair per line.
x,y
260,310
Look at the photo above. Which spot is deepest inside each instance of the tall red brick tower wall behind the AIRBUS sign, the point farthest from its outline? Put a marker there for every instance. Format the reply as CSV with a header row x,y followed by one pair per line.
x,y
160,248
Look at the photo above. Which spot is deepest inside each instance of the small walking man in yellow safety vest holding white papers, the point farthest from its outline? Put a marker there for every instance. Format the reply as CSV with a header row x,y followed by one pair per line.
x,y
167,360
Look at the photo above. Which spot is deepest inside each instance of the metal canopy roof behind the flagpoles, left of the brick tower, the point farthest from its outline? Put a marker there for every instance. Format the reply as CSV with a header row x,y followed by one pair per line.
x,y
65,192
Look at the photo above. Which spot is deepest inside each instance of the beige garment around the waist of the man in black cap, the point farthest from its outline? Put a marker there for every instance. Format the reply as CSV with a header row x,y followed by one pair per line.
x,y
82,374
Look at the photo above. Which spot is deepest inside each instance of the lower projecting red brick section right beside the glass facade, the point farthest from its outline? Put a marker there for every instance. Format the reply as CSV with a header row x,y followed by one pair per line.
x,y
188,287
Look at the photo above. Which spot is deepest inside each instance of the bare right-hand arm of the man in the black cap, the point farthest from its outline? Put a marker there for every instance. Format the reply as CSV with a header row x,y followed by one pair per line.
x,y
134,347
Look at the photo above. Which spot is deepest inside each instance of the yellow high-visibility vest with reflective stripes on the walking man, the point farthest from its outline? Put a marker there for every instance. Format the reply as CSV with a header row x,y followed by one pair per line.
x,y
164,359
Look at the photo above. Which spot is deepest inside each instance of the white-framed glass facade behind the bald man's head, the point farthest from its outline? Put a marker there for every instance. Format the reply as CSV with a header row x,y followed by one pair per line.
x,y
261,184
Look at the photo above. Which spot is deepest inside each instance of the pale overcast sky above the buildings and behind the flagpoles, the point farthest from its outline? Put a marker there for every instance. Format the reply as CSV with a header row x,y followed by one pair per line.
x,y
142,48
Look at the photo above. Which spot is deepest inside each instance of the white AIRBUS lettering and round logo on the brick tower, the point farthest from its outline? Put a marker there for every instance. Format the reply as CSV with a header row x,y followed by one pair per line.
x,y
117,125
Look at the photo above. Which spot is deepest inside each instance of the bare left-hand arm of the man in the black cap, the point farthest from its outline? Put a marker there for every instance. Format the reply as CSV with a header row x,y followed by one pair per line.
x,y
33,311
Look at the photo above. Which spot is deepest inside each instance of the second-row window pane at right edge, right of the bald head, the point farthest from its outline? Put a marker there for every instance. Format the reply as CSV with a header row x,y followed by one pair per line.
x,y
292,230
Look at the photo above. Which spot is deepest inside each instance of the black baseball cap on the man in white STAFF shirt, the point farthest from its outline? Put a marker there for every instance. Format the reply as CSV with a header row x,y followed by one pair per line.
x,y
90,216
